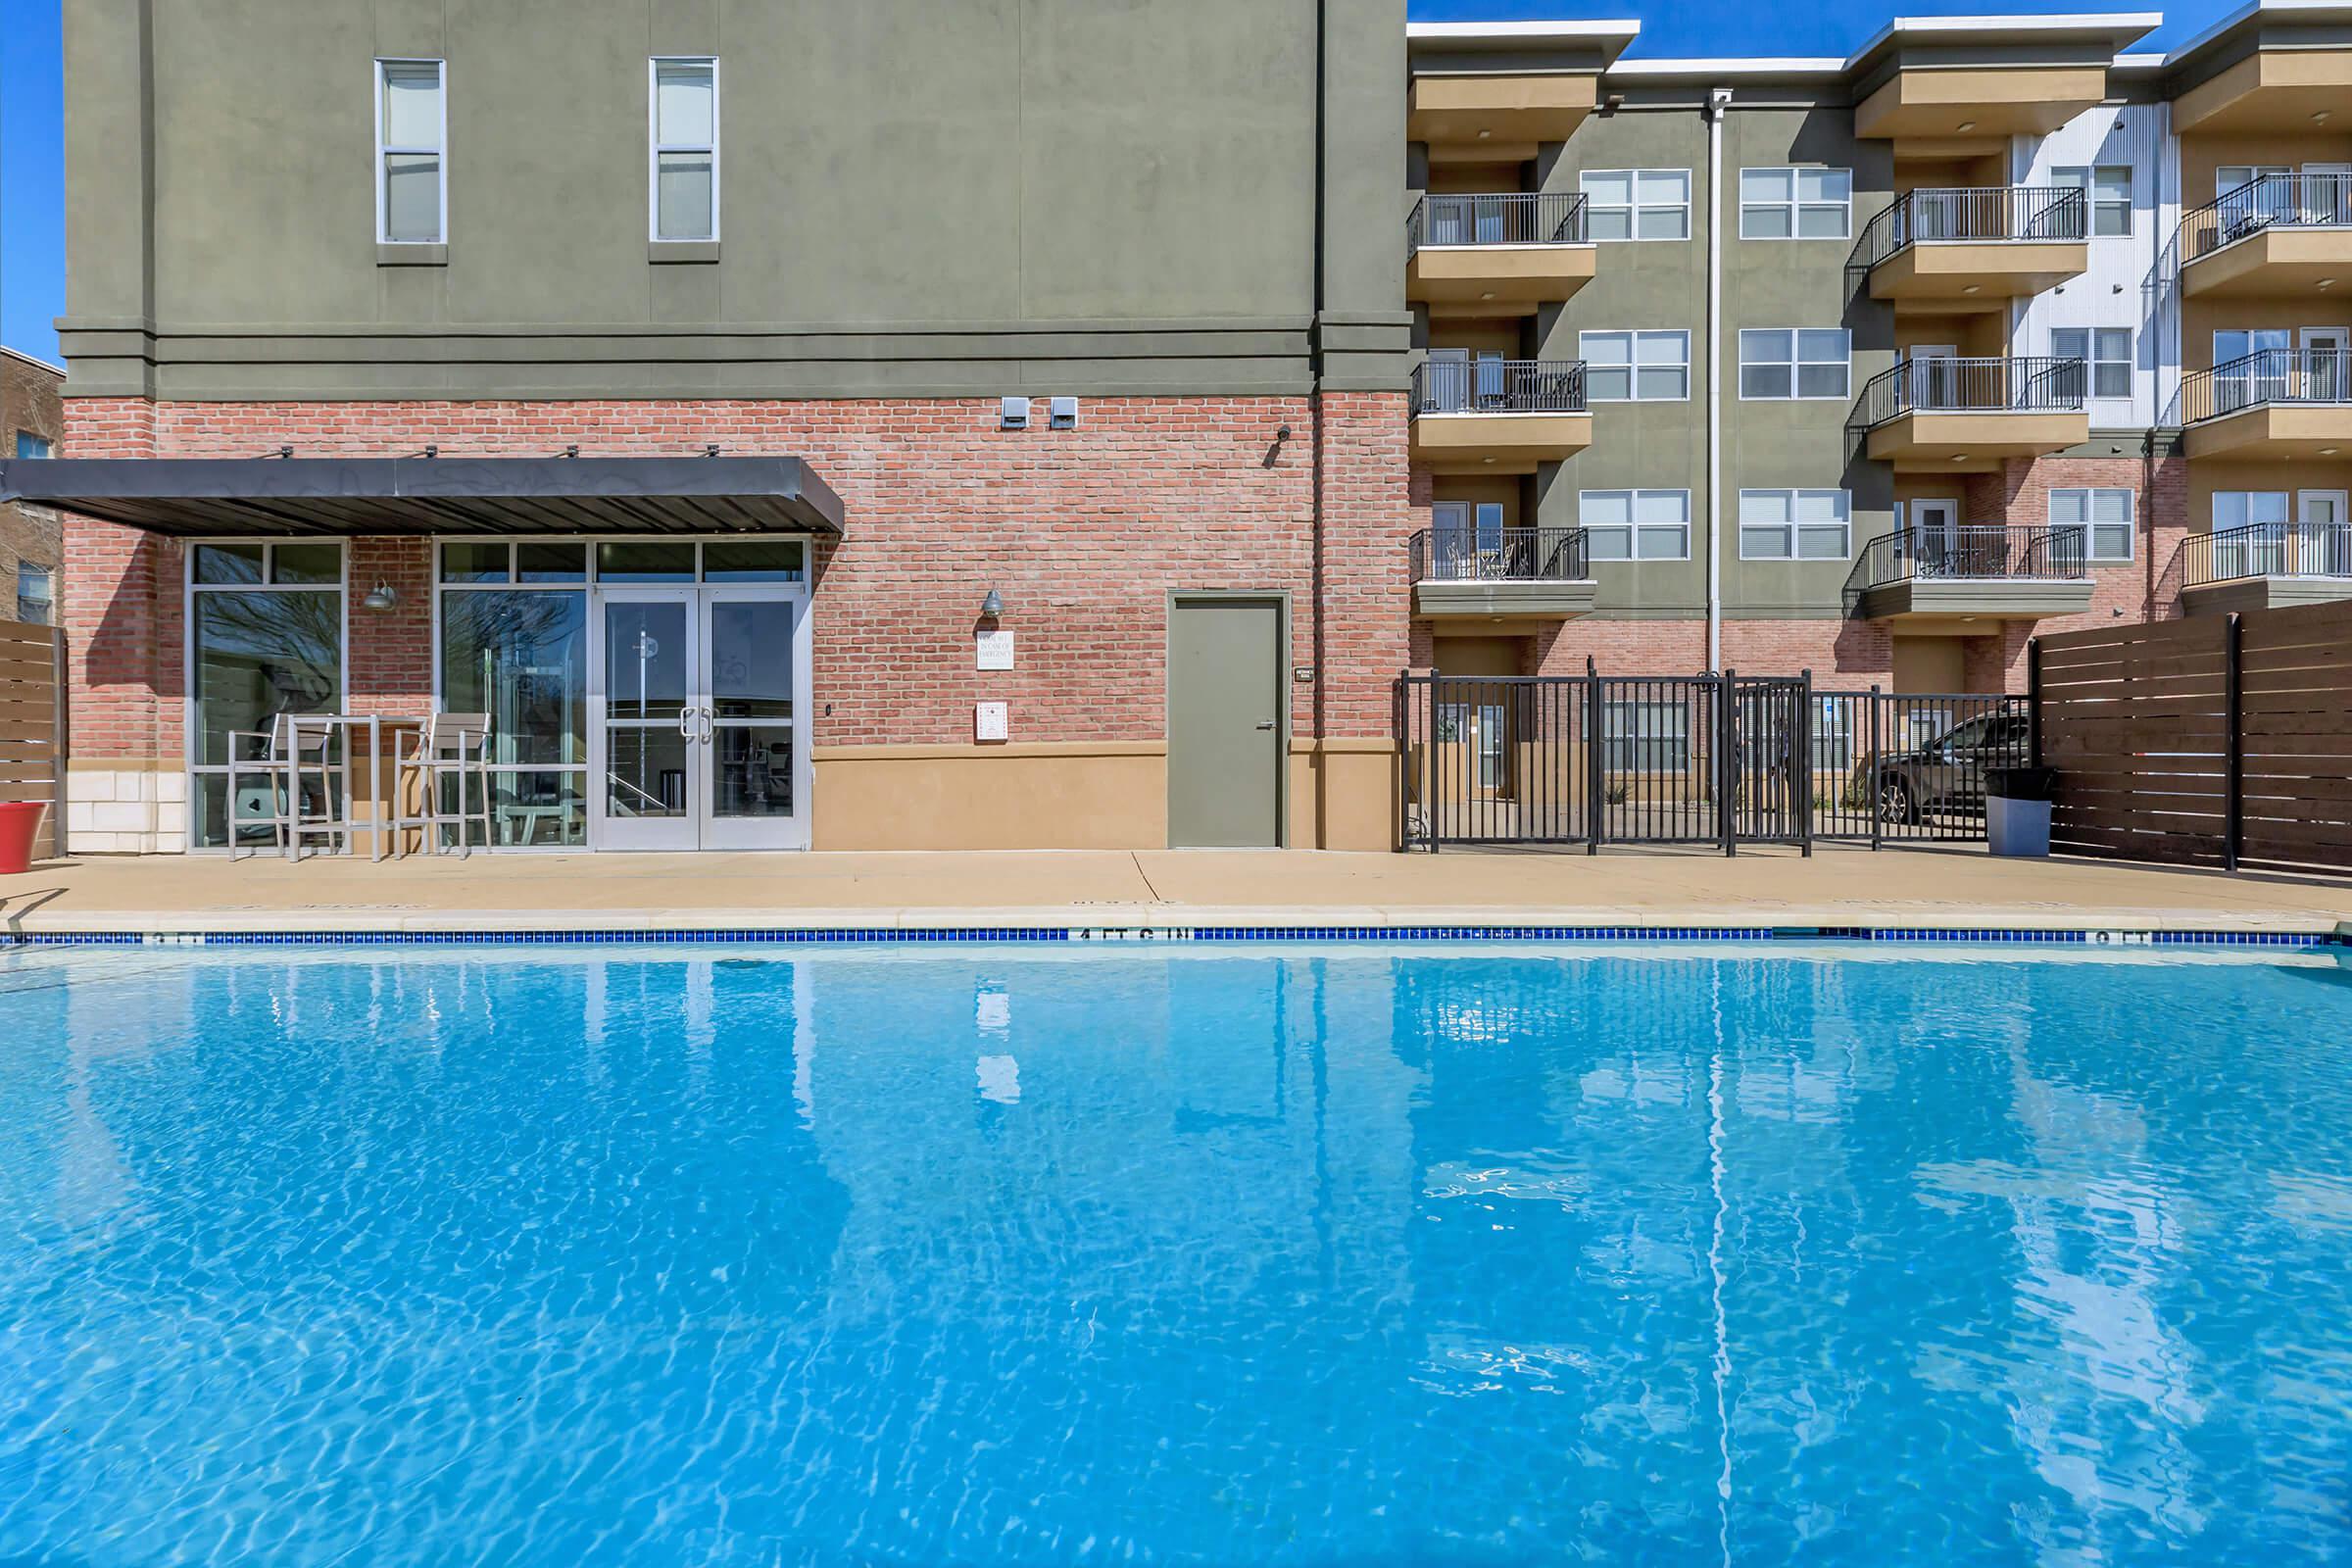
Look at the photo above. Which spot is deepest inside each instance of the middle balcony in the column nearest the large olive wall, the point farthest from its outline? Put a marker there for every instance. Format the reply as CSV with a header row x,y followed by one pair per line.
x,y
1499,415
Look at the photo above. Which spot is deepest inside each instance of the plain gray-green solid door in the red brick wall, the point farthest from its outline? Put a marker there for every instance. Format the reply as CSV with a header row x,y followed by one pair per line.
x,y
1227,732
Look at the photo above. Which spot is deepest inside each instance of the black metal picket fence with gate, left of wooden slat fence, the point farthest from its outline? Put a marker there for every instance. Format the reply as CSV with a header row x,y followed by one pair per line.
x,y
1699,760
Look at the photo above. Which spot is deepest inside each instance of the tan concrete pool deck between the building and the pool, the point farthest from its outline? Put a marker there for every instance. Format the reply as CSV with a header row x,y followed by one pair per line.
x,y
1154,890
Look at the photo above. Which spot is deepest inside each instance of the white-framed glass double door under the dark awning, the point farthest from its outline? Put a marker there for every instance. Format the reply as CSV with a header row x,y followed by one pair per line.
x,y
700,704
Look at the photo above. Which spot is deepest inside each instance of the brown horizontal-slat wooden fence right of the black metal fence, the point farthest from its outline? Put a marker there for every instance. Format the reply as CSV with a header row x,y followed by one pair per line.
x,y
2210,742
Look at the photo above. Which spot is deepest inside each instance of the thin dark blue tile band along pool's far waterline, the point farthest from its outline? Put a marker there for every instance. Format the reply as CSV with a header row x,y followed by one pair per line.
x,y
864,937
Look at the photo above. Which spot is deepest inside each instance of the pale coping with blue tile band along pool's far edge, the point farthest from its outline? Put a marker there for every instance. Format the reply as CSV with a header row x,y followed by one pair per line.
x,y
1130,925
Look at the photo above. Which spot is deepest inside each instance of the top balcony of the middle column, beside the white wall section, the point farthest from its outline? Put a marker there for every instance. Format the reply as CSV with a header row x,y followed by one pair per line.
x,y
1965,250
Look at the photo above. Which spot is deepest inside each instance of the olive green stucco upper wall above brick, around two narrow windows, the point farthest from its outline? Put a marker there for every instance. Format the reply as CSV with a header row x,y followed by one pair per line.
x,y
989,196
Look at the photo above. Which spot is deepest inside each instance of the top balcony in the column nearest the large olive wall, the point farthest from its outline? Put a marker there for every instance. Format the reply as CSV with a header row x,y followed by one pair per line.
x,y
1497,255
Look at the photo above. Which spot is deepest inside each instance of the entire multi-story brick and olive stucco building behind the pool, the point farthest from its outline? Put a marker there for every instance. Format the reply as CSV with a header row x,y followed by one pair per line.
x,y
1027,424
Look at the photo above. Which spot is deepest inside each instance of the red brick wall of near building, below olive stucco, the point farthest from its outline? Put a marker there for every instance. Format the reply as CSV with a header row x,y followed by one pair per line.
x,y
1081,532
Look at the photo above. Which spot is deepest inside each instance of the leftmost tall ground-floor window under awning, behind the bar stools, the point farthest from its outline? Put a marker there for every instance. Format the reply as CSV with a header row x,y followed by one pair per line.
x,y
265,638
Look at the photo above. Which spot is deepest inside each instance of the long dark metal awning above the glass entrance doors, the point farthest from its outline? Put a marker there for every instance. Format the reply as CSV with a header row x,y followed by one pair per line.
x,y
340,497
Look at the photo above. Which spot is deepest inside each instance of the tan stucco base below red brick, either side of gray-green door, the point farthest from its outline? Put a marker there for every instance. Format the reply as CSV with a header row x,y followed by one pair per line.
x,y
1074,796
